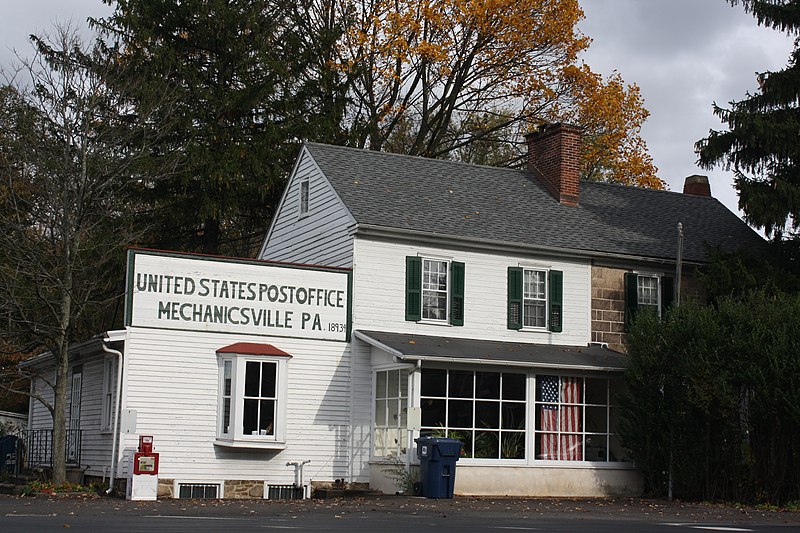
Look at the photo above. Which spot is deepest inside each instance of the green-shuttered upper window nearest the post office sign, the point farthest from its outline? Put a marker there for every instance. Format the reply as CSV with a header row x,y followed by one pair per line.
x,y
435,290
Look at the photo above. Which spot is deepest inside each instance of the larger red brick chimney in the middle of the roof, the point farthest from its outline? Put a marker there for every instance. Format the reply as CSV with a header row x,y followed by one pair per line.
x,y
554,155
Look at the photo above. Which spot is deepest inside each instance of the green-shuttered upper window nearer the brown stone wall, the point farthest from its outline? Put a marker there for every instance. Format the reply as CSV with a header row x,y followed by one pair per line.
x,y
535,298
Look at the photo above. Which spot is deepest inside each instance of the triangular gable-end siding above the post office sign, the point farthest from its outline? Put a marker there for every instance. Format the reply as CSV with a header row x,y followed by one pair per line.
x,y
321,236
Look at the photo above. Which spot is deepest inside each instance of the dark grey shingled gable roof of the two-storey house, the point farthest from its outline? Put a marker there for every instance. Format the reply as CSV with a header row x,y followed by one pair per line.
x,y
494,204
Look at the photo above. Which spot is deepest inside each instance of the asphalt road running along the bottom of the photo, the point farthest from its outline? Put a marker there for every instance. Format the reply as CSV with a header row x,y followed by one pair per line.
x,y
385,515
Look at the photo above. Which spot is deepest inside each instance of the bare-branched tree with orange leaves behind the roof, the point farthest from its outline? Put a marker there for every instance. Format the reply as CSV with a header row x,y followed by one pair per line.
x,y
437,78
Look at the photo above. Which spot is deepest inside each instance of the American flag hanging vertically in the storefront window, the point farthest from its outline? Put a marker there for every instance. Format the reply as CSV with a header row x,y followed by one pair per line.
x,y
559,421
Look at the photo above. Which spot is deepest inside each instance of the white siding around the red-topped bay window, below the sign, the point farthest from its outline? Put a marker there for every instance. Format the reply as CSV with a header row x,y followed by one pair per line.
x,y
172,380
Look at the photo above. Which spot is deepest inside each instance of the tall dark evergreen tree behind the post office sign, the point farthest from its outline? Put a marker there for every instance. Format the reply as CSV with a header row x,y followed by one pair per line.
x,y
248,83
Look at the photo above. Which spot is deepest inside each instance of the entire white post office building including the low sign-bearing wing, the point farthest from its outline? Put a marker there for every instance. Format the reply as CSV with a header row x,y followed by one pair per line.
x,y
478,303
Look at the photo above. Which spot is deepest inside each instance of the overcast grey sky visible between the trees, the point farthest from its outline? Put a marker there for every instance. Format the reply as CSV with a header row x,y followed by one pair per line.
x,y
683,54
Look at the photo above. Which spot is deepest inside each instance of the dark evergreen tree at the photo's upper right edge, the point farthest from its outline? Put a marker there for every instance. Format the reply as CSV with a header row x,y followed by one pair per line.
x,y
761,144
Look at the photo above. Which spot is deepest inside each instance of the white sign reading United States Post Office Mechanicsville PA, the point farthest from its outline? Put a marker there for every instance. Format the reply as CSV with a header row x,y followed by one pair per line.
x,y
196,293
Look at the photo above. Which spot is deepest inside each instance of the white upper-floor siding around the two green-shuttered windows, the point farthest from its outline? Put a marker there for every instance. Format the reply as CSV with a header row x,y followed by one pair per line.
x,y
379,293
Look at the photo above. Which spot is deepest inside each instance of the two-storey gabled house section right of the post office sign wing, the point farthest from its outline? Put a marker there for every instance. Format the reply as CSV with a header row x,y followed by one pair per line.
x,y
493,302
